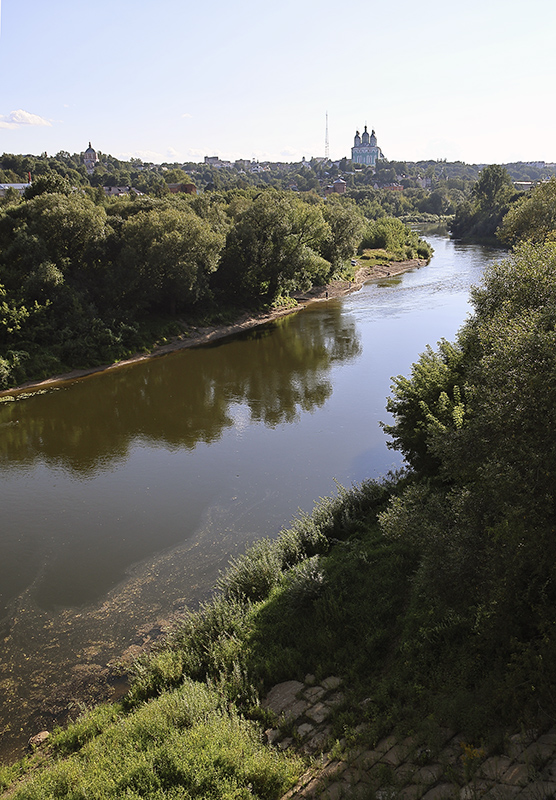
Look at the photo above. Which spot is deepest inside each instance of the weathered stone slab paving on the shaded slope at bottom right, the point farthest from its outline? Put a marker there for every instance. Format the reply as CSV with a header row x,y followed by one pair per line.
x,y
404,769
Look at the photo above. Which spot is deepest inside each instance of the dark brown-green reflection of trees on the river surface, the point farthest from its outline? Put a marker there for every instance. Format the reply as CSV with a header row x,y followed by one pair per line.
x,y
180,400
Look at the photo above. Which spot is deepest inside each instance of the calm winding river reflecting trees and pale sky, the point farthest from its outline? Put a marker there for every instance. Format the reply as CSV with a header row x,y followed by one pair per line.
x,y
123,494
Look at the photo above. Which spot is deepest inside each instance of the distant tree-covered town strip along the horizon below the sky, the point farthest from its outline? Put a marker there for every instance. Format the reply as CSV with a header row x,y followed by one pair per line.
x,y
411,190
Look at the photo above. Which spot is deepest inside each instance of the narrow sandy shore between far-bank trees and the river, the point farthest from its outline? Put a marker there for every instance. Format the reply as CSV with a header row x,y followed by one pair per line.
x,y
196,336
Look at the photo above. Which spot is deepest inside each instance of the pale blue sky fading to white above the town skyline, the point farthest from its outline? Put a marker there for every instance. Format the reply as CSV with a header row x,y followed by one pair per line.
x,y
177,80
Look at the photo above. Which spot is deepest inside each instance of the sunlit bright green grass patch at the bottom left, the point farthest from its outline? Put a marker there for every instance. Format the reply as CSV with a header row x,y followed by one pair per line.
x,y
185,744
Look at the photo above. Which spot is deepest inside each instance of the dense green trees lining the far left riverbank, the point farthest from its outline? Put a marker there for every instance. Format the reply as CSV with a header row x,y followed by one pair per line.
x,y
85,280
